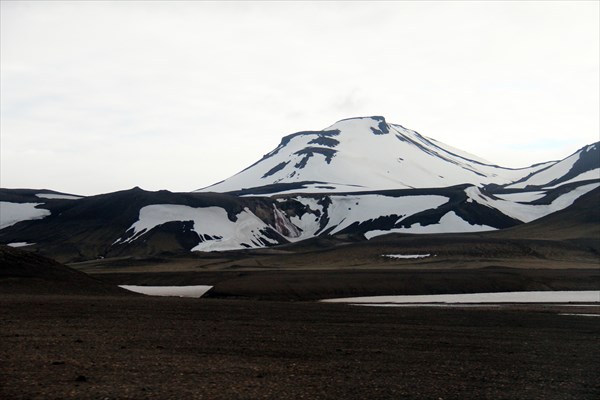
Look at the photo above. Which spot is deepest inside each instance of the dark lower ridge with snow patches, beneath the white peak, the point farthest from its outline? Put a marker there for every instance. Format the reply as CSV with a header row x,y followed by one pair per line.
x,y
140,223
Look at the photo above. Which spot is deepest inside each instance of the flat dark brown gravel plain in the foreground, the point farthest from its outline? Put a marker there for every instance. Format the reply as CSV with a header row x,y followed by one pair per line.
x,y
135,347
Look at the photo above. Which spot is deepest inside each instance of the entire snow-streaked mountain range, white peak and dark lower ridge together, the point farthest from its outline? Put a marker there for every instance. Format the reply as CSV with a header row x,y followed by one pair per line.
x,y
359,178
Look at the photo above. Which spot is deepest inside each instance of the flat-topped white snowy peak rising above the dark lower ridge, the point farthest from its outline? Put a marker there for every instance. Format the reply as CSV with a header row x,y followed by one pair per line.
x,y
361,154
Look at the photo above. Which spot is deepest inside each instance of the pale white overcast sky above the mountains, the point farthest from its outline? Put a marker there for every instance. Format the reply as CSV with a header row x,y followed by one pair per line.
x,y
100,96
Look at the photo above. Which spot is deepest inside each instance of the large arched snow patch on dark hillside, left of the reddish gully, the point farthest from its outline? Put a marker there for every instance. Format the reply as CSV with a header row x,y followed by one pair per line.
x,y
210,223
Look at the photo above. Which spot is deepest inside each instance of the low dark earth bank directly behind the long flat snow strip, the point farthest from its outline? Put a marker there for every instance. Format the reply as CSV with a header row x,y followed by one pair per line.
x,y
301,285
